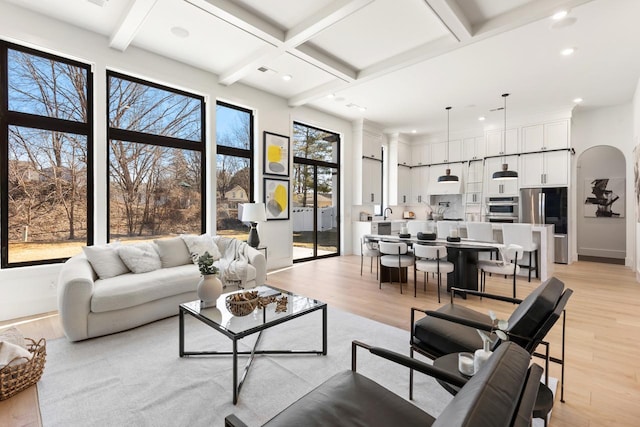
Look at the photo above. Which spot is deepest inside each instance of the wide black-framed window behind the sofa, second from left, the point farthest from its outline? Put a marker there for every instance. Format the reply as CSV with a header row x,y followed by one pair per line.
x,y
156,160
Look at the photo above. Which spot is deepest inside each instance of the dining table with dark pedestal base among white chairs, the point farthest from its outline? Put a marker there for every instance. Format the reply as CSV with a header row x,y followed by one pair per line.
x,y
463,254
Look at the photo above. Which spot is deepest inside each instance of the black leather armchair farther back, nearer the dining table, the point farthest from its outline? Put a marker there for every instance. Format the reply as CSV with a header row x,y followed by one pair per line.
x,y
452,328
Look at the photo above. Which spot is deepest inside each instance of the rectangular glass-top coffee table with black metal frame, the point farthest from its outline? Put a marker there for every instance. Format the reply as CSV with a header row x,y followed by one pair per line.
x,y
238,327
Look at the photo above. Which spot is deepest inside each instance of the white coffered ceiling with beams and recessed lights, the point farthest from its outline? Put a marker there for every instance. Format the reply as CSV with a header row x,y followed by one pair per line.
x,y
398,63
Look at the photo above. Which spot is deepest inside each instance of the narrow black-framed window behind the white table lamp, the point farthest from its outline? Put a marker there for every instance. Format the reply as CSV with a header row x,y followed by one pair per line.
x,y
234,167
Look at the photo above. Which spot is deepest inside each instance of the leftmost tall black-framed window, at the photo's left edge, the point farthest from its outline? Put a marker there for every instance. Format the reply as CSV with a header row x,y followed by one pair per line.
x,y
46,121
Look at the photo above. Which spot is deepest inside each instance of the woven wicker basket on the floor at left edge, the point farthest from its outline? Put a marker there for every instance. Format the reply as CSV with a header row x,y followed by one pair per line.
x,y
15,378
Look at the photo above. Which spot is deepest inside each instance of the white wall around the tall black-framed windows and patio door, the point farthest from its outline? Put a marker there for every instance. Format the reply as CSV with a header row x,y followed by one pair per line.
x,y
30,290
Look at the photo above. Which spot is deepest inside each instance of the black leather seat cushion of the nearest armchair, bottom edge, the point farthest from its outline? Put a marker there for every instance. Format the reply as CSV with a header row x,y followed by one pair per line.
x,y
349,398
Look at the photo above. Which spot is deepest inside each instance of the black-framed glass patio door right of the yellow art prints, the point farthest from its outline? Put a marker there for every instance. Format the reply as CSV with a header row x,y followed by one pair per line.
x,y
315,195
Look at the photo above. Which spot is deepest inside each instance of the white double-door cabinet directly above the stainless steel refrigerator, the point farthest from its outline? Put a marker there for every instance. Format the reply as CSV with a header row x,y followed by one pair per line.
x,y
547,169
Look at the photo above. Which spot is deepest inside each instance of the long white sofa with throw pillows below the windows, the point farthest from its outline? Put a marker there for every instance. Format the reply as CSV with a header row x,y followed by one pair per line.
x,y
103,296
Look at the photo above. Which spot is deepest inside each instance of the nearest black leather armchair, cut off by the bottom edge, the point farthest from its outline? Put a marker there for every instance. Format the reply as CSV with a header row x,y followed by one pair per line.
x,y
502,394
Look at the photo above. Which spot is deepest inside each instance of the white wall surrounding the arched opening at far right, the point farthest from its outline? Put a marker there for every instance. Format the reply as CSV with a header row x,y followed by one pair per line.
x,y
611,126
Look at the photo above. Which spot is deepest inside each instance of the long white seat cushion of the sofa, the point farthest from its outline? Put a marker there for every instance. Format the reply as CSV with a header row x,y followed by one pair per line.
x,y
129,290
